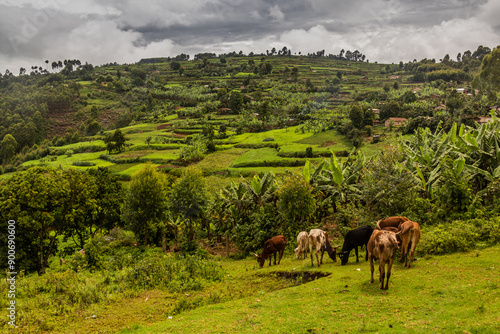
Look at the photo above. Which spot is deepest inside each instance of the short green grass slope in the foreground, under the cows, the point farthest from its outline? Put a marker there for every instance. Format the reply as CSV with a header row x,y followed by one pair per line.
x,y
445,294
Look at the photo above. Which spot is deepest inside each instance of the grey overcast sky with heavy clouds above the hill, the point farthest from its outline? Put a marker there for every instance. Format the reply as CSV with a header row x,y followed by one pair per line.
x,y
124,31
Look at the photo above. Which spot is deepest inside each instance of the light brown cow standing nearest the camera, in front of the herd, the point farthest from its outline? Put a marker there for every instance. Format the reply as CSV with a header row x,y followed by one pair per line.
x,y
382,246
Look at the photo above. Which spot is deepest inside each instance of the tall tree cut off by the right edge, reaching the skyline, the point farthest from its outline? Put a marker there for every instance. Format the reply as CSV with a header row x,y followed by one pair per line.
x,y
488,80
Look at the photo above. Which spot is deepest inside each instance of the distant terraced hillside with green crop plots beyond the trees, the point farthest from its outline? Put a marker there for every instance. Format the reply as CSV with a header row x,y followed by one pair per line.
x,y
159,109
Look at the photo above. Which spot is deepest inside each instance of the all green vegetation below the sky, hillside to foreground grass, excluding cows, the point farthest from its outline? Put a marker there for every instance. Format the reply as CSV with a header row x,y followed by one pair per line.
x,y
157,180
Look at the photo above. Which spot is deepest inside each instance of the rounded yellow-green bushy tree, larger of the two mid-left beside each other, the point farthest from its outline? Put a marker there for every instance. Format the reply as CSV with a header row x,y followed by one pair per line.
x,y
145,207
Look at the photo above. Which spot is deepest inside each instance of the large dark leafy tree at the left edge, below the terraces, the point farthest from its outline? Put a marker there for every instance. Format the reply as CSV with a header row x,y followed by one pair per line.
x,y
37,199
